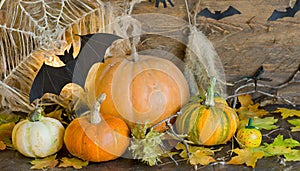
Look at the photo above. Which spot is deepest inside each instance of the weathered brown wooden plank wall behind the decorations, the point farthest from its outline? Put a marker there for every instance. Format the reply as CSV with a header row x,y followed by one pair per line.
x,y
247,41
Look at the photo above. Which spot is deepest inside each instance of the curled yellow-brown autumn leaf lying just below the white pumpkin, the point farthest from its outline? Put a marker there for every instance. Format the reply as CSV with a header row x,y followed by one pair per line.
x,y
44,163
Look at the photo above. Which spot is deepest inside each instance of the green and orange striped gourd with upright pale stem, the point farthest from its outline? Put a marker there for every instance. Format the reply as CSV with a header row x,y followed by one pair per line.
x,y
207,122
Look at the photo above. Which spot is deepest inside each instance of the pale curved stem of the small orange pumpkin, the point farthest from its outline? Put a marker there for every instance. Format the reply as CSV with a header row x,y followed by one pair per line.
x,y
95,113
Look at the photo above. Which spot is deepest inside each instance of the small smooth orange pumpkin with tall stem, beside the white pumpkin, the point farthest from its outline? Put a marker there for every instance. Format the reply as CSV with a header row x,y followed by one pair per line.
x,y
96,138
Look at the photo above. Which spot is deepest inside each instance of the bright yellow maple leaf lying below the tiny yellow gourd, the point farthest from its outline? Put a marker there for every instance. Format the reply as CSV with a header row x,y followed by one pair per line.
x,y
249,156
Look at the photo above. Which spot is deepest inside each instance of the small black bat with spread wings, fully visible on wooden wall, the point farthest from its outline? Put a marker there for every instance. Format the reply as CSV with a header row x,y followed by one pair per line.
x,y
218,15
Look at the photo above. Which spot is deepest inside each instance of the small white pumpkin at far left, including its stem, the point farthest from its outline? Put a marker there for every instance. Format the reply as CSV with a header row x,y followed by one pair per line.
x,y
38,136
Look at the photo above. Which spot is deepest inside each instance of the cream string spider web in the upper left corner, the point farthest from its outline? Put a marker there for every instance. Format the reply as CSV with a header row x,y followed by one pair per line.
x,y
31,31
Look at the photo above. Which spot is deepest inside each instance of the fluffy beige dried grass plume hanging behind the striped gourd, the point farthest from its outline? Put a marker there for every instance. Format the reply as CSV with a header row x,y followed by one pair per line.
x,y
203,61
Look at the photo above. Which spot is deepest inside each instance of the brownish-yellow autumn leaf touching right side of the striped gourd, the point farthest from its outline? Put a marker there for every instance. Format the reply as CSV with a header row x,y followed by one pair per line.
x,y
248,109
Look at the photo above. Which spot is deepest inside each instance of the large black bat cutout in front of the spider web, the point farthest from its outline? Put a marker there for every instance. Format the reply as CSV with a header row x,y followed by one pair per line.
x,y
52,79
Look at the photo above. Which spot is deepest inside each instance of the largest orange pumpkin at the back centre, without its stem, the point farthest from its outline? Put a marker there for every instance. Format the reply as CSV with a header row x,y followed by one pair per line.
x,y
142,90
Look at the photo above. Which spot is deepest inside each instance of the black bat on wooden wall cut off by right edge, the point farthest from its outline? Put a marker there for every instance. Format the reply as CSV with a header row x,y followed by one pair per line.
x,y
290,12
